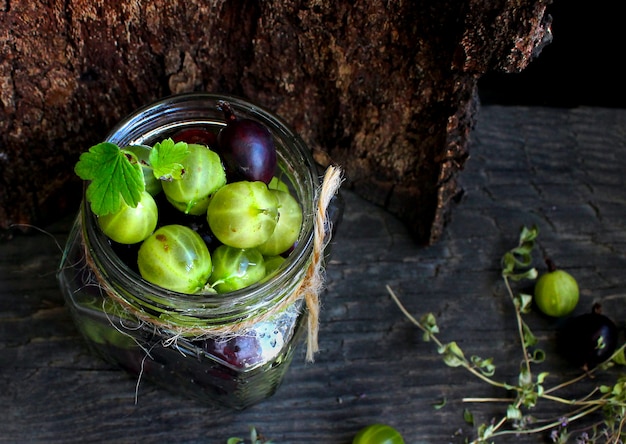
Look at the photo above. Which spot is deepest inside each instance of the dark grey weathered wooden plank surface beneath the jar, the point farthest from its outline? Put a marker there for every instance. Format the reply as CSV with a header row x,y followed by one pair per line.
x,y
561,169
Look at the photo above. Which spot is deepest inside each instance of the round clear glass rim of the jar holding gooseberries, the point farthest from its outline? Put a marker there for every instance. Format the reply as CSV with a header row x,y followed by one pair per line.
x,y
249,298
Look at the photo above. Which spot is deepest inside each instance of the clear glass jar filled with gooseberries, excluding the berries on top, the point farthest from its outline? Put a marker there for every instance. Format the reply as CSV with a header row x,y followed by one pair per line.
x,y
231,349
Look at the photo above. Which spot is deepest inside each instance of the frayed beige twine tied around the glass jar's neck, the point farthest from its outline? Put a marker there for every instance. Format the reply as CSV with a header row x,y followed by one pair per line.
x,y
308,289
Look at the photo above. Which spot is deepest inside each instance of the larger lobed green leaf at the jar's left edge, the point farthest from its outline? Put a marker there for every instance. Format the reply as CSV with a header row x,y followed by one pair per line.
x,y
116,177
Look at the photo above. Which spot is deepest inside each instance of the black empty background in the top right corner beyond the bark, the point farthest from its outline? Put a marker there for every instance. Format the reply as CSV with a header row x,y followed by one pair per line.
x,y
582,66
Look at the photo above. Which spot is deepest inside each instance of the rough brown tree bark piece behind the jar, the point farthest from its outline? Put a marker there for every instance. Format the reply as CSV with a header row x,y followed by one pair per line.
x,y
385,89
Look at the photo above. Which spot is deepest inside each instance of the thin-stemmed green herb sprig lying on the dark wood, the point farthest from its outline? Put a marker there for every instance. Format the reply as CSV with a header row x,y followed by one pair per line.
x,y
529,389
